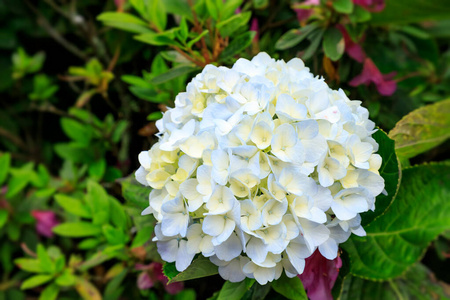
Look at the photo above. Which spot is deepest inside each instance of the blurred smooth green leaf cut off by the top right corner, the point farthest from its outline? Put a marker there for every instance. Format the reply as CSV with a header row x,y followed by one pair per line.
x,y
412,11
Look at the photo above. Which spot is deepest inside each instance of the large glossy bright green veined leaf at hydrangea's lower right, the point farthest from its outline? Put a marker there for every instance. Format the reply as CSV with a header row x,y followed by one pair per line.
x,y
399,238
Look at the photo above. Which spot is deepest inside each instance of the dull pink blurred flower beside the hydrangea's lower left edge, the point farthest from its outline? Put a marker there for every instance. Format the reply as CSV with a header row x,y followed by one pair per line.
x,y
153,273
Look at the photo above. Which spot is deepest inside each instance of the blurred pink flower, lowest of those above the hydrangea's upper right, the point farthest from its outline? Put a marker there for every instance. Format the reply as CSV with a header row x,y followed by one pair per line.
x,y
370,73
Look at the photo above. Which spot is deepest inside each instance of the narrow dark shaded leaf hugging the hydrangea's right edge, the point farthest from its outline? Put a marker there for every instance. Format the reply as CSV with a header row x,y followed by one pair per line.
x,y
390,170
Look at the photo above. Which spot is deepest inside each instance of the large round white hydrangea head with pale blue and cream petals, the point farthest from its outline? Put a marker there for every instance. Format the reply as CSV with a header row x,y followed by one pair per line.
x,y
258,166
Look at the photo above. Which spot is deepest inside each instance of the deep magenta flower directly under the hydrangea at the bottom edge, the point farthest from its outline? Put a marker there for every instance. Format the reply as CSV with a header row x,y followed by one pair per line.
x,y
319,276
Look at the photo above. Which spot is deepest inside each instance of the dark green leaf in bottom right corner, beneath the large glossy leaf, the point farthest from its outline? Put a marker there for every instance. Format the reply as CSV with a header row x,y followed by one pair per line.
x,y
417,283
